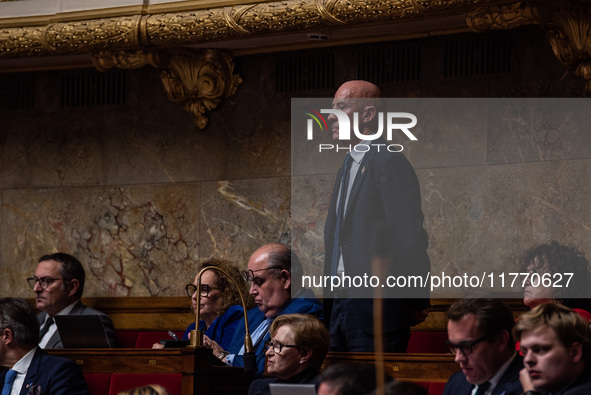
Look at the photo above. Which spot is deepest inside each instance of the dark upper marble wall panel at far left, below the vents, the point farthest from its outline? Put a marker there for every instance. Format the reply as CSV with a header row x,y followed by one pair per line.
x,y
40,152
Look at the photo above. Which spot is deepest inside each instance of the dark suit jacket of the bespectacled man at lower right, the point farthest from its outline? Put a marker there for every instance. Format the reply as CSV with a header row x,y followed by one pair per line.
x,y
508,385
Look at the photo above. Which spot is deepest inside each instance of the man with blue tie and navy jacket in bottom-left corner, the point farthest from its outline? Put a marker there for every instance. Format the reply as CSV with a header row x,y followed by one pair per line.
x,y
32,371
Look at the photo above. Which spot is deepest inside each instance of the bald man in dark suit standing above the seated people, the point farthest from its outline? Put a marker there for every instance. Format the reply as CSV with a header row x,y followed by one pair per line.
x,y
382,197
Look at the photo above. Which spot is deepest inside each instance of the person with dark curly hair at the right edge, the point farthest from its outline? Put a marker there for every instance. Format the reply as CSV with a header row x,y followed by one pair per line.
x,y
551,267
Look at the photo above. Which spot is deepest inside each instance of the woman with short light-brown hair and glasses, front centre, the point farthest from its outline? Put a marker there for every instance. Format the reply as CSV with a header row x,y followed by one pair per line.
x,y
295,352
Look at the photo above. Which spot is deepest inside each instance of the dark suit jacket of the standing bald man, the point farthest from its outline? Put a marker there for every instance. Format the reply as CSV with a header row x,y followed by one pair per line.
x,y
385,194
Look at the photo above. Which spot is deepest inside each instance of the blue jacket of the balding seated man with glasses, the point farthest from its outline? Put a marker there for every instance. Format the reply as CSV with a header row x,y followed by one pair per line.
x,y
307,305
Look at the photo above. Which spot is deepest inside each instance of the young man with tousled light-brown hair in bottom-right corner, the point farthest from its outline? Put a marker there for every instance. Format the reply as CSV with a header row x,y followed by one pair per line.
x,y
556,343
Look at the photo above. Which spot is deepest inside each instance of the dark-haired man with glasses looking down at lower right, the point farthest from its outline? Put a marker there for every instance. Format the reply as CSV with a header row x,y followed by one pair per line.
x,y
479,332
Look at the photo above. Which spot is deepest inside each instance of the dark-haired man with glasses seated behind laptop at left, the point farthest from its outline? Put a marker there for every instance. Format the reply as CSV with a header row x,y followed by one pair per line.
x,y
58,284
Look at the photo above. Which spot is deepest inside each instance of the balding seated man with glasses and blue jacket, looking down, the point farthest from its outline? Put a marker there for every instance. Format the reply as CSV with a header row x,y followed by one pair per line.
x,y
273,271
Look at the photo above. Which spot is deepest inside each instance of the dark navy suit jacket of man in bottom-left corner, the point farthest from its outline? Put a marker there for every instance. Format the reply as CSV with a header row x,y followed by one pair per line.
x,y
51,375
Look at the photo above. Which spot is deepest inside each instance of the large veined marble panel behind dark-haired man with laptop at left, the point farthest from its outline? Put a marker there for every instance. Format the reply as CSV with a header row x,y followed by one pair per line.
x,y
132,241
